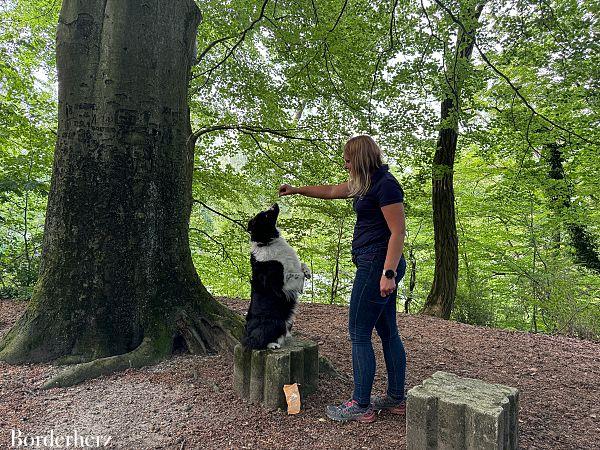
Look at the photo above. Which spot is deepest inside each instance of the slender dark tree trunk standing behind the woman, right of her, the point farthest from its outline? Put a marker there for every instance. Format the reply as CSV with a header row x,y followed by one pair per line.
x,y
443,290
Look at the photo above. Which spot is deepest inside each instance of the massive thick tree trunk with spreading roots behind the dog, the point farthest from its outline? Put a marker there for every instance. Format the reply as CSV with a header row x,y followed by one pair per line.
x,y
116,276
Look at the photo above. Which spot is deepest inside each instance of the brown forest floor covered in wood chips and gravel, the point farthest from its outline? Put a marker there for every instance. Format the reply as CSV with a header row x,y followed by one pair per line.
x,y
188,402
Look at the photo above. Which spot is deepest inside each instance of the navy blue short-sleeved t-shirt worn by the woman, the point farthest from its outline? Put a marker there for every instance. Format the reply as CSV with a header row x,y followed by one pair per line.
x,y
371,227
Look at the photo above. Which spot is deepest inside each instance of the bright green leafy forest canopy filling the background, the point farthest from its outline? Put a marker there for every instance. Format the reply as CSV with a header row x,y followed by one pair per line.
x,y
278,87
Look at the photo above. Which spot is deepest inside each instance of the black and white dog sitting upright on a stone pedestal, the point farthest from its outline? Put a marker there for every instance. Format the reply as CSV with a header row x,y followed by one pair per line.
x,y
277,279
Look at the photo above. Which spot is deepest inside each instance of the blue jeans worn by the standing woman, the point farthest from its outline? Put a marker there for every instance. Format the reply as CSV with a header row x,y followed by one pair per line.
x,y
369,310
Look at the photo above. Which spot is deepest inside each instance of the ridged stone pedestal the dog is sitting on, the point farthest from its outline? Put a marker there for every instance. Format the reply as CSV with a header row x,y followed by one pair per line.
x,y
259,375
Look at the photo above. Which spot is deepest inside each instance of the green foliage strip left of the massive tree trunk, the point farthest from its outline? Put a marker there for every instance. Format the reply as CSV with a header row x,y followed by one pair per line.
x,y
27,115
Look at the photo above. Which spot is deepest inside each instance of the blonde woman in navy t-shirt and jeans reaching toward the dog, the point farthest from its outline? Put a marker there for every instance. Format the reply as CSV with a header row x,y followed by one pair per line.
x,y
377,253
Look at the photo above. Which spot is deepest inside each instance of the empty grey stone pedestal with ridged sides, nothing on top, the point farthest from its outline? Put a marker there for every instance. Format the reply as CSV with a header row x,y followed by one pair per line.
x,y
450,412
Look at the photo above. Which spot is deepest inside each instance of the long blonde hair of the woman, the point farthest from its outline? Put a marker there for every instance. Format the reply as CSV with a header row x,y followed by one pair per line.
x,y
365,156
